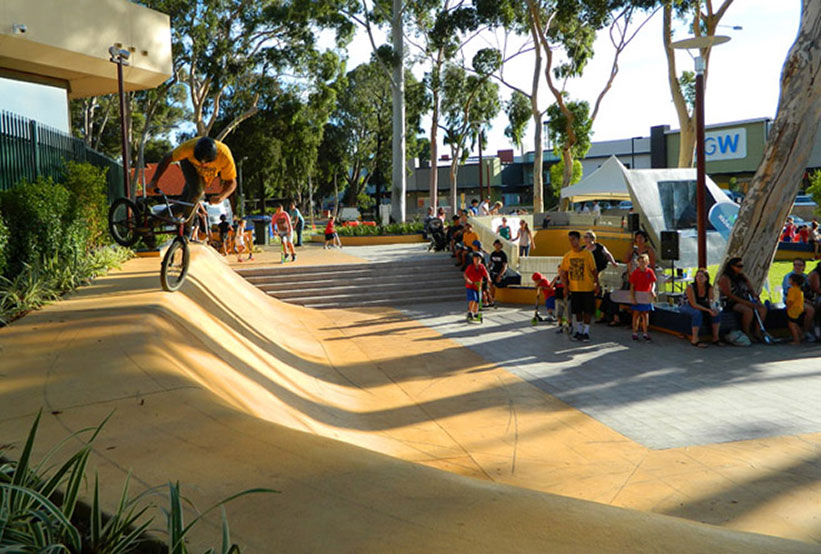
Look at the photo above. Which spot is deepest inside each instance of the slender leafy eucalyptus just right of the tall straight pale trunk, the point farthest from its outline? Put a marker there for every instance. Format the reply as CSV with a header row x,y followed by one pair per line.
x,y
469,101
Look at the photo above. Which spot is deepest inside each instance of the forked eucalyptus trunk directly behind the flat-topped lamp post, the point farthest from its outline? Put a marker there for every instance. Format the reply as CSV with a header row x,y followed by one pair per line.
x,y
702,20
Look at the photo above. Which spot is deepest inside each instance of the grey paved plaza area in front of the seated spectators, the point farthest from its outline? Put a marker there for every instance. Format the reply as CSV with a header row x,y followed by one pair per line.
x,y
663,394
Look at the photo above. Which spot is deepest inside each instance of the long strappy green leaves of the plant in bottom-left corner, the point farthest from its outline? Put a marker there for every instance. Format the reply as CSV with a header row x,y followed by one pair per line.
x,y
38,506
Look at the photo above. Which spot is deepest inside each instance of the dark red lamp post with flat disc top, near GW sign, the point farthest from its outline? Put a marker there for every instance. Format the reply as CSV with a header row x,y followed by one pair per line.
x,y
701,180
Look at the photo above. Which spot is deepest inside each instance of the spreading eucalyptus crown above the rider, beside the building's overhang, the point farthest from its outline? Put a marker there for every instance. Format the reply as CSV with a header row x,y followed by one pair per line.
x,y
222,46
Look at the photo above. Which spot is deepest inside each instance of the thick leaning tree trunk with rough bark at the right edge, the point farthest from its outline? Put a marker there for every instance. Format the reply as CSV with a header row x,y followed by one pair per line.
x,y
778,178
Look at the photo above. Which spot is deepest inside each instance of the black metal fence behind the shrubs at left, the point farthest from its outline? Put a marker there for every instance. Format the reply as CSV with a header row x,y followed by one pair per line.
x,y
29,150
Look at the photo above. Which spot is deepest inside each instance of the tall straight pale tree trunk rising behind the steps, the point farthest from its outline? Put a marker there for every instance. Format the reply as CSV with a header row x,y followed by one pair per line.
x,y
398,86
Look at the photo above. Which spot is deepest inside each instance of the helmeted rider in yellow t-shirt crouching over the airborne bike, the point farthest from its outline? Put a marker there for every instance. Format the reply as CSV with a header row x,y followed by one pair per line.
x,y
201,160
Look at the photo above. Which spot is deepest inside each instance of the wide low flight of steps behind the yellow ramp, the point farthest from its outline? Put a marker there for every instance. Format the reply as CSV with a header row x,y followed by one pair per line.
x,y
434,279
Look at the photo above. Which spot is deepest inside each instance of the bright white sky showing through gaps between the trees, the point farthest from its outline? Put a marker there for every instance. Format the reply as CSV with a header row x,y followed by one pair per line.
x,y
743,80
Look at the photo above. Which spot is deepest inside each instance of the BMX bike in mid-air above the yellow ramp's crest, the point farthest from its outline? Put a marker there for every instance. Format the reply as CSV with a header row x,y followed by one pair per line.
x,y
130,220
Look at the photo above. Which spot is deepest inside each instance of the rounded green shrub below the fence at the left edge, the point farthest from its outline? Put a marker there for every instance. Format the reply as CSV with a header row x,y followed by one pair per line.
x,y
36,214
